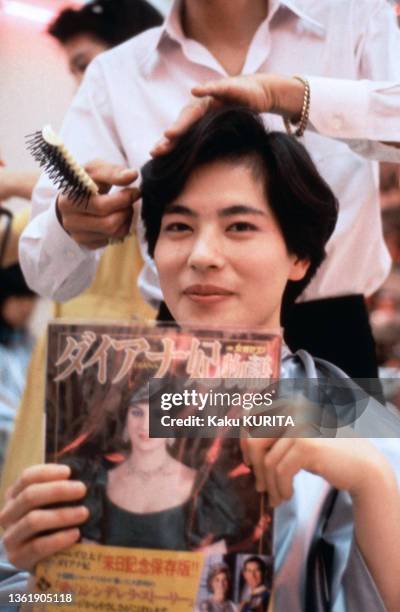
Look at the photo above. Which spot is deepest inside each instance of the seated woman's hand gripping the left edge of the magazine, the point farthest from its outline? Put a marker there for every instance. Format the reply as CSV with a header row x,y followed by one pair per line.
x,y
26,519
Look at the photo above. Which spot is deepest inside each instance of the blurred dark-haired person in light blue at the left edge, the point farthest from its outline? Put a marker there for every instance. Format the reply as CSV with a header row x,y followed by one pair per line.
x,y
17,302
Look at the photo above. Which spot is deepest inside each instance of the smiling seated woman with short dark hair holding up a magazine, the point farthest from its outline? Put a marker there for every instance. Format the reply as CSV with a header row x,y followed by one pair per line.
x,y
234,217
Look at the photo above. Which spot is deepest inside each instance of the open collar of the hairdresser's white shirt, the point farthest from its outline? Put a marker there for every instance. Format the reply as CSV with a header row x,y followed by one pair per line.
x,y
172,27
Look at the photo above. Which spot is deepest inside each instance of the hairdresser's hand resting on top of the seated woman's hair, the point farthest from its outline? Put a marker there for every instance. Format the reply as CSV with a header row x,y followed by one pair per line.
x,y
263,93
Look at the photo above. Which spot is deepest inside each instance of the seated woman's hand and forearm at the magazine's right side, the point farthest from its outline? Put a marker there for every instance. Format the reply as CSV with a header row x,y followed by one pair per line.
x,y
344,463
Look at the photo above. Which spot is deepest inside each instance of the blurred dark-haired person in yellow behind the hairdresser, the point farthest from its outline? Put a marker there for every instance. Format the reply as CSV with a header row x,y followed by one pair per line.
x,y
113,294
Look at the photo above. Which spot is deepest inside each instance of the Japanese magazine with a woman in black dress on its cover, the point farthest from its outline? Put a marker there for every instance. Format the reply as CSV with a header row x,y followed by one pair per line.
x,y
175,522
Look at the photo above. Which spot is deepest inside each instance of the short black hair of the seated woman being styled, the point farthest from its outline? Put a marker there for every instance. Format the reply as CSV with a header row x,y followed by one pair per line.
x,y
302,202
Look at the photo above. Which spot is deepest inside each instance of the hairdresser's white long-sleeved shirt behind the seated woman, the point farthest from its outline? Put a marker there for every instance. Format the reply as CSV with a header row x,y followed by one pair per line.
x,y
350,52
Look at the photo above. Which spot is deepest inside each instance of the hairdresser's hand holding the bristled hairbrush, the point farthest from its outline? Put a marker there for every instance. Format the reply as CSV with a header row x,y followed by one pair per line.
x,y
106,216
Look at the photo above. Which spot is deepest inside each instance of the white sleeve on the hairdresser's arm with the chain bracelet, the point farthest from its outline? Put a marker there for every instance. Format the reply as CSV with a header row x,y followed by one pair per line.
x,y
364,113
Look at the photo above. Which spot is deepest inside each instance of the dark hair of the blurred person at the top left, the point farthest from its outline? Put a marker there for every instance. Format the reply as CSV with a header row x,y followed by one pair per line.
x,y
110,21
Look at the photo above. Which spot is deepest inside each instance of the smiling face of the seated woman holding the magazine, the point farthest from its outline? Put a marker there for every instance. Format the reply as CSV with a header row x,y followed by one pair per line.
x,y
221,256
